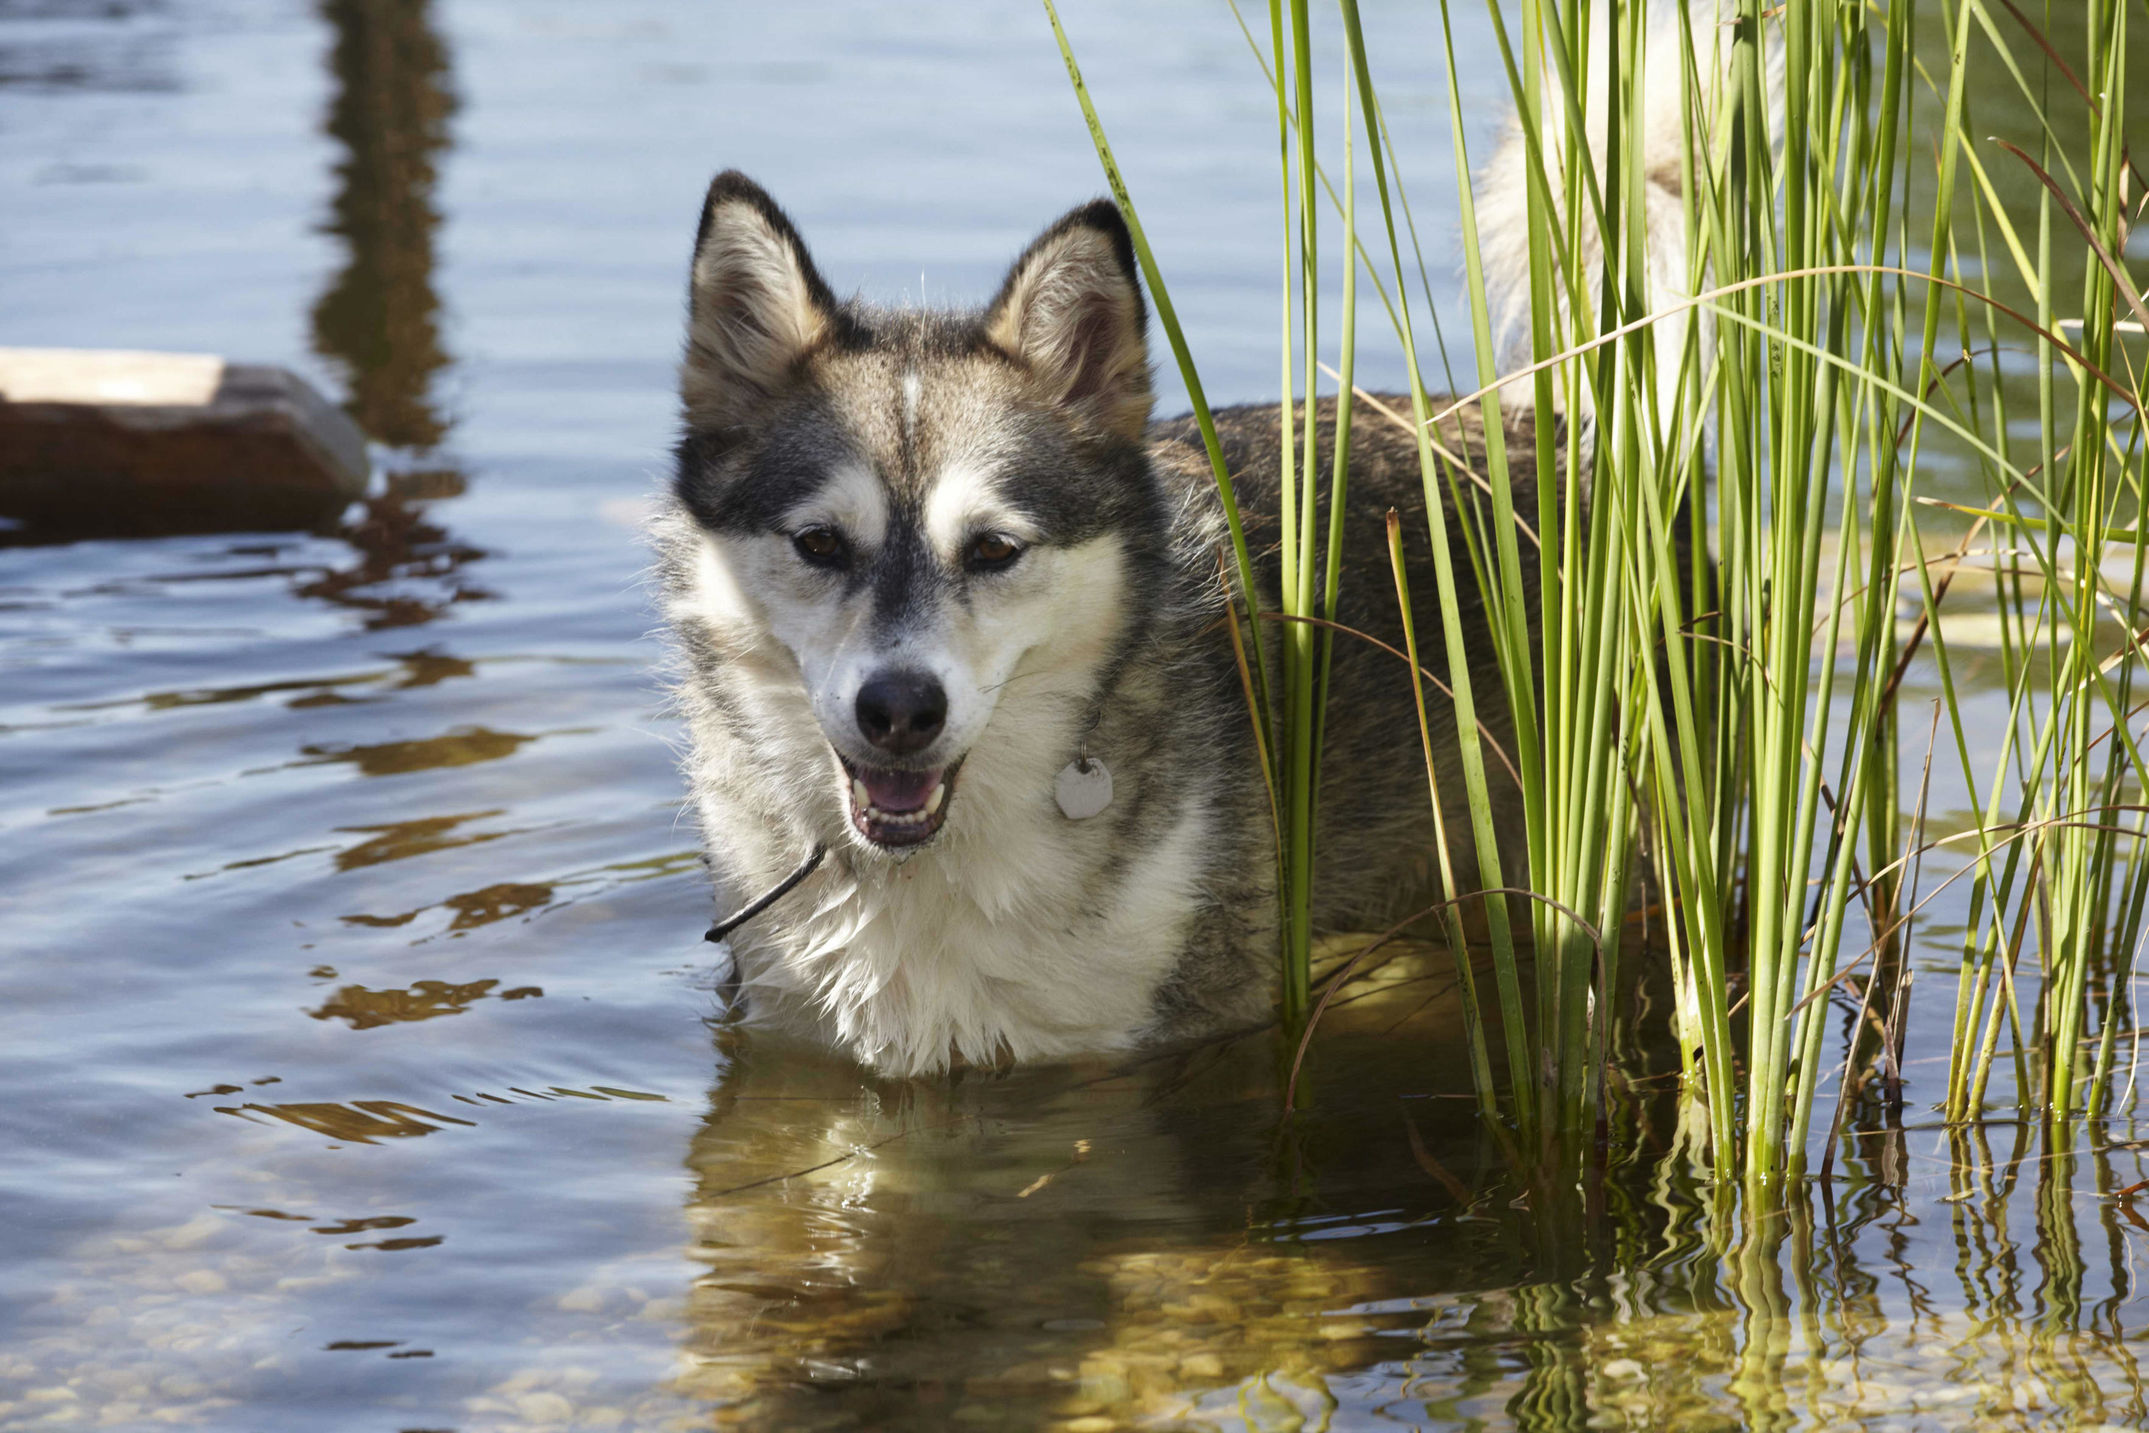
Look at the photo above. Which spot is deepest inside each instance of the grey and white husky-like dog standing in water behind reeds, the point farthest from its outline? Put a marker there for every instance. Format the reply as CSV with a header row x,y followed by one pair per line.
x,y
953,643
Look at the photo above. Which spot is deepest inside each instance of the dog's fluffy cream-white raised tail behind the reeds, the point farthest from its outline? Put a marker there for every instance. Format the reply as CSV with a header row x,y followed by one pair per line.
x,y
1503,209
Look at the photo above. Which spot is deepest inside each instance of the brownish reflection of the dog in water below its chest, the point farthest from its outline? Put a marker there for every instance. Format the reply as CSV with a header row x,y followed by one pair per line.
x,y
1110,1241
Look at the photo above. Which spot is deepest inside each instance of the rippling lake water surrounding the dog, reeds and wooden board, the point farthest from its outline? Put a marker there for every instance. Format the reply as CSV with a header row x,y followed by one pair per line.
x,y
360,1058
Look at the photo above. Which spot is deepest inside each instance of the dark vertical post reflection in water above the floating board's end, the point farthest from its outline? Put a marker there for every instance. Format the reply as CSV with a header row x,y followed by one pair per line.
x,y
379,319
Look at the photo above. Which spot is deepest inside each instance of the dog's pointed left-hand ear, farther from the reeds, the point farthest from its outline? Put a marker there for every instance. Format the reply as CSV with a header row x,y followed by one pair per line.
x,y
755,304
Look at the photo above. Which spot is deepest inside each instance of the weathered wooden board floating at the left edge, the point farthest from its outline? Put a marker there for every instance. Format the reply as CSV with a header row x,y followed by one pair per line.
x,y
106,442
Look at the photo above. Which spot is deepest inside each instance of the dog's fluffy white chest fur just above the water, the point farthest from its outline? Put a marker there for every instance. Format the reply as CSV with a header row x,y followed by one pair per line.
x,y
987,949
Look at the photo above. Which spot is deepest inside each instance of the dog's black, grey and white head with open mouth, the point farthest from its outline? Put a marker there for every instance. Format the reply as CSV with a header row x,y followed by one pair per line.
x,y
917,519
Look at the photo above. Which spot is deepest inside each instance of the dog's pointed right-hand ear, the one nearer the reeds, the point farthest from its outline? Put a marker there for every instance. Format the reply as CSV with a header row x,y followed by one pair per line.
x,y
1071,313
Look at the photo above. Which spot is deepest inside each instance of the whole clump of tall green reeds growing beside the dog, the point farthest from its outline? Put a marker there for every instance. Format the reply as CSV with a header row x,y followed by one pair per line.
x,y
1735,594
